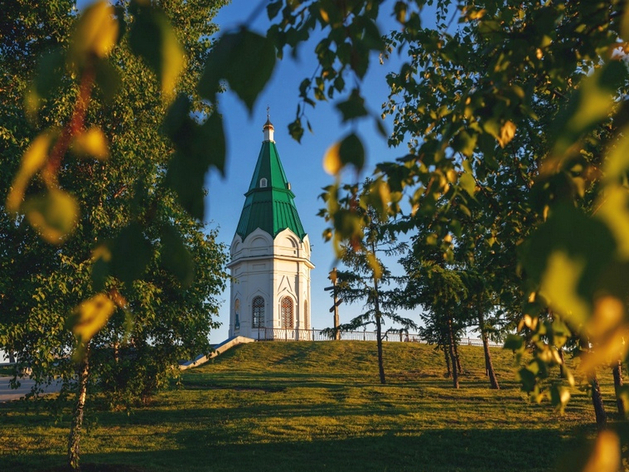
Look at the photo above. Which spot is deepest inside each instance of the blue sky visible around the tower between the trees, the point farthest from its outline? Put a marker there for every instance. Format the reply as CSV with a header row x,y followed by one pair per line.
x,y
302,162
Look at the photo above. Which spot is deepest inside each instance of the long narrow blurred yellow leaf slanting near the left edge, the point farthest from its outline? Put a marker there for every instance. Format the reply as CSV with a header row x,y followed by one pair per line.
x,y
33,159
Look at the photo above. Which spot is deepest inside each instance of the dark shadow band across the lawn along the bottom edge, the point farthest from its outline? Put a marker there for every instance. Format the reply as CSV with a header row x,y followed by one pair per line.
x,y
441,450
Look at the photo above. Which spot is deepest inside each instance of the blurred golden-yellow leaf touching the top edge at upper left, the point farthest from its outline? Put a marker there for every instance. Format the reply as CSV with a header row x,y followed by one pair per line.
x,y
96,31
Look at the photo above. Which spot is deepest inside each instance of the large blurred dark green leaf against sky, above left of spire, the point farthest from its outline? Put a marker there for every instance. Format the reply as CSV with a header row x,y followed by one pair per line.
x,y
245,59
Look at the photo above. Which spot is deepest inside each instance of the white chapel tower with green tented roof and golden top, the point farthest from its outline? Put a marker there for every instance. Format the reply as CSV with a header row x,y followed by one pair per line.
x,y
270,257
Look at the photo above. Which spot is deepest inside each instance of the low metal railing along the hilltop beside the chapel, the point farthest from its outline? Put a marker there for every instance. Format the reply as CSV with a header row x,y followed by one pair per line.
x,y
281,334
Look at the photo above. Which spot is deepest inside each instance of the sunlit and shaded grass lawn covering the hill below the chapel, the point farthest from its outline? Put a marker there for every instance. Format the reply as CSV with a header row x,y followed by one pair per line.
x,y
316,406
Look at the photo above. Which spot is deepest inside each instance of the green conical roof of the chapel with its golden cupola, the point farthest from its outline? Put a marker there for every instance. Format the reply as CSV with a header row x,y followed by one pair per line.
x,y
269,203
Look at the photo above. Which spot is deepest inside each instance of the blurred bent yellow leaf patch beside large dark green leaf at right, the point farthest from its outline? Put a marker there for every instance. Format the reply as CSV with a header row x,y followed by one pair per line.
x,y
559,287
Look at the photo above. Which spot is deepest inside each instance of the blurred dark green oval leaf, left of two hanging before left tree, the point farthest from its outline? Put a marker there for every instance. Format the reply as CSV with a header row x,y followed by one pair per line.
x,y
130,254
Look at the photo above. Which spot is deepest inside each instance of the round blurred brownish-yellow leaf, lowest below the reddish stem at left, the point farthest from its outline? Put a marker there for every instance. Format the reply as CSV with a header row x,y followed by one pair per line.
x,y
54,215
